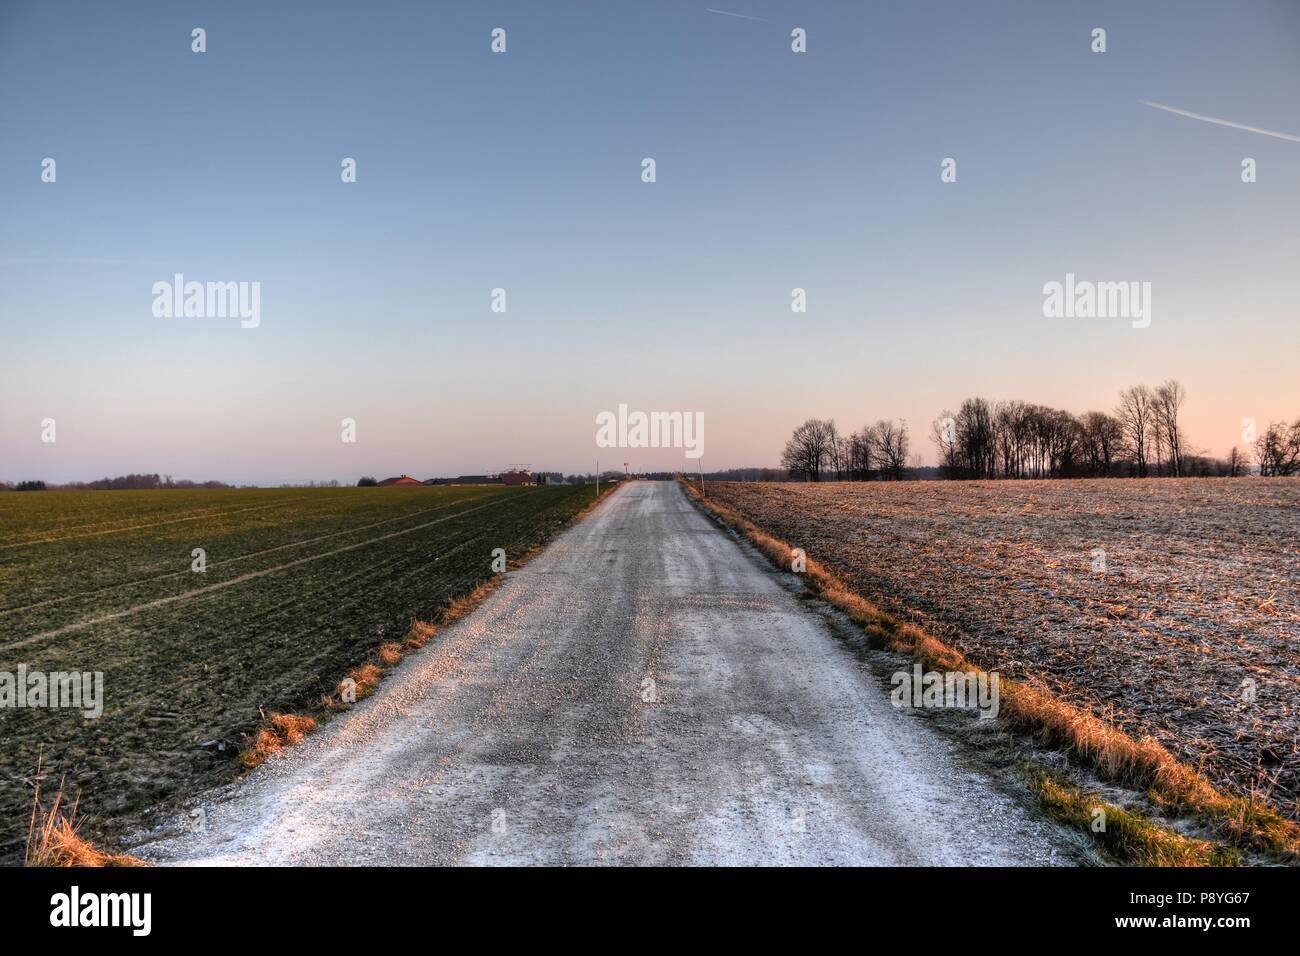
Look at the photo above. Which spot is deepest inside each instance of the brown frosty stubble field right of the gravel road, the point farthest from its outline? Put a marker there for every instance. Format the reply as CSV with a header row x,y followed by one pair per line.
x,y
1168,604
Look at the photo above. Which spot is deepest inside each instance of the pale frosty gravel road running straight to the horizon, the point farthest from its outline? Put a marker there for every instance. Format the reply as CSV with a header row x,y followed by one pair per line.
x,y
530,732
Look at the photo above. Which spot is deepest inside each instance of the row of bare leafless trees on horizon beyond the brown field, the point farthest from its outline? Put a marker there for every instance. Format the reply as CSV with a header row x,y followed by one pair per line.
x,y
1143,436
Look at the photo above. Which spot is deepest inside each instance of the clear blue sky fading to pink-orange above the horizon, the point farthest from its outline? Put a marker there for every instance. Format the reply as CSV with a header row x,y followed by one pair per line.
x,y
523,171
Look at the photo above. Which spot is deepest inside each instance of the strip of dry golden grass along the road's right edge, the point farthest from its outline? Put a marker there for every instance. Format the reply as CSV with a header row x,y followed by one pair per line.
x,y
1034,711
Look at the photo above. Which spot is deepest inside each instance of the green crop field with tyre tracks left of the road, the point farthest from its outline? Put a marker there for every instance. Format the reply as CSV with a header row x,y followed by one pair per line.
x,y
301,586
